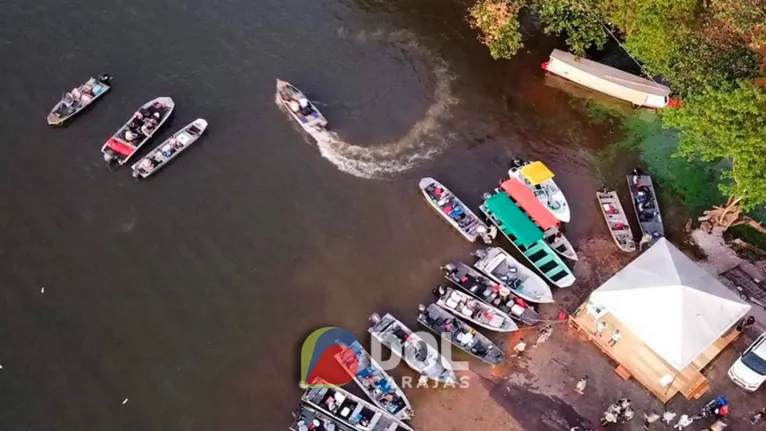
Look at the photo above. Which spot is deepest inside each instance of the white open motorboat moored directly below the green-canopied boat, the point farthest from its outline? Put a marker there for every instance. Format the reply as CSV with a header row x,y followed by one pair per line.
x,y
508,272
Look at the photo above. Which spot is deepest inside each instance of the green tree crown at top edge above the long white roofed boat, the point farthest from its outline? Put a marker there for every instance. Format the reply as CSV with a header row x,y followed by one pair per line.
x,y
572,18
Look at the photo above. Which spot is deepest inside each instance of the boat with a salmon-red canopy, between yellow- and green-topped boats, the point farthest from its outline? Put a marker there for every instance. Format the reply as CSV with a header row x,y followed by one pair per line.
x,y
539,214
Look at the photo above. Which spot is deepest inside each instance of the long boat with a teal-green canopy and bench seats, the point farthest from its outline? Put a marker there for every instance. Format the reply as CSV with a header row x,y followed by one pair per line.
x,y
528,239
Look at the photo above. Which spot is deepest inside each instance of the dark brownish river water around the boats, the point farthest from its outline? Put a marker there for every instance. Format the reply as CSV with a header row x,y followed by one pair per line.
x,y
190,294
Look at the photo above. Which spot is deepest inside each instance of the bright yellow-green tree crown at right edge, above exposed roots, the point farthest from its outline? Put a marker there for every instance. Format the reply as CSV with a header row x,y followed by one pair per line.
x,y
727,123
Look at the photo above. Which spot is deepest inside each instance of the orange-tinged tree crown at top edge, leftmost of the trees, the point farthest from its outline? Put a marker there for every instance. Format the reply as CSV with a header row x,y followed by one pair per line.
x,y
498,24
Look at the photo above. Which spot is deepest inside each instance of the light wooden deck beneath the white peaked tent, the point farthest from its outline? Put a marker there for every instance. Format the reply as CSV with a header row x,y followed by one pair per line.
x,y
636,360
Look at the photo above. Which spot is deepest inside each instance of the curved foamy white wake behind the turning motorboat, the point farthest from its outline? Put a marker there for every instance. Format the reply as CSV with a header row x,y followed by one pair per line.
x,y
422,142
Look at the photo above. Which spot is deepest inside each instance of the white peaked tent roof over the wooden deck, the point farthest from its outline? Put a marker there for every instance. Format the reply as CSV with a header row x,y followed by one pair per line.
x,y
669,302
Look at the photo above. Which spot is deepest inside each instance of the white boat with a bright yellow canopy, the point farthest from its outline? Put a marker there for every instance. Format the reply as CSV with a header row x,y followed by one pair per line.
x,y
539,179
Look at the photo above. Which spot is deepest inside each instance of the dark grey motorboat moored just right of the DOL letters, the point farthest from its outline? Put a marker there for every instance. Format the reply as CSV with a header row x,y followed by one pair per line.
x,y
460,334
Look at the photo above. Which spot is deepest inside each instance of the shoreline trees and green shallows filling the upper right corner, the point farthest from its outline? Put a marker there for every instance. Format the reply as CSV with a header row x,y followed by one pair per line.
x,y
711,151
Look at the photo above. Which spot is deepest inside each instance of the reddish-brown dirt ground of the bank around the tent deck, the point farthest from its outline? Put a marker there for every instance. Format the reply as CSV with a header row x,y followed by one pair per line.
x,y
536,392
